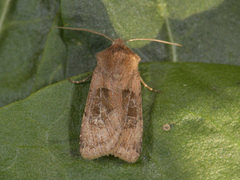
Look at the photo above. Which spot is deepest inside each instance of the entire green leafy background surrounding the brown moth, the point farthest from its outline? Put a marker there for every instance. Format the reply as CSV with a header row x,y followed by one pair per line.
x,y
200,83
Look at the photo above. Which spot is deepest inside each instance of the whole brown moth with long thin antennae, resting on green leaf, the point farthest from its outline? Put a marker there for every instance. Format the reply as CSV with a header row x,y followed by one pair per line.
x,y
112,123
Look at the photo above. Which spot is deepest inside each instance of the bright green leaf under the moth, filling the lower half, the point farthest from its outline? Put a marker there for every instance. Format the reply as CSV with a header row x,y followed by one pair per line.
x,y
40,134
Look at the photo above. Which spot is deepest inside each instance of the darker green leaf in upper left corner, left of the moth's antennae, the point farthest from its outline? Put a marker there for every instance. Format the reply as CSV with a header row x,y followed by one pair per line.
x,y
24,29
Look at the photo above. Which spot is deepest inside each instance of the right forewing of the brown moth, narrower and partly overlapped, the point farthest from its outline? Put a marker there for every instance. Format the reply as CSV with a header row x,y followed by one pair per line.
x,y
129,144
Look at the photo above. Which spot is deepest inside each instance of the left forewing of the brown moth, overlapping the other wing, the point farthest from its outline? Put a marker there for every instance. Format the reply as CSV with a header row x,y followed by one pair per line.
x,y
100,126
